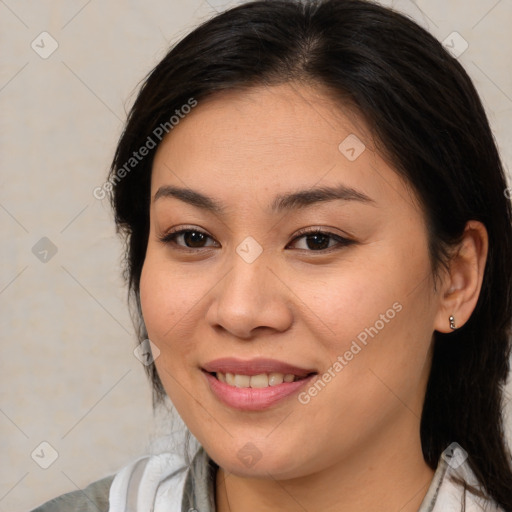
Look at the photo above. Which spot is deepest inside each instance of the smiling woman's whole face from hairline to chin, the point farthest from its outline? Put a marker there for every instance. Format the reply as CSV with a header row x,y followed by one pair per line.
x,y
354,306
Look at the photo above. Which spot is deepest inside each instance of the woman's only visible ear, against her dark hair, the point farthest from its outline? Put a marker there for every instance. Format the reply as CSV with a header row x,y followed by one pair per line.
x,y
461,287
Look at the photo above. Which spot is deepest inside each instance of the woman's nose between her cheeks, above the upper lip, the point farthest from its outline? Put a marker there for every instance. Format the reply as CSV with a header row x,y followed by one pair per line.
x,y
250,298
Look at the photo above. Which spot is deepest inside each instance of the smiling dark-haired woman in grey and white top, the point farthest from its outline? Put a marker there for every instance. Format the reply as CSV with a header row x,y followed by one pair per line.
x,y
318,247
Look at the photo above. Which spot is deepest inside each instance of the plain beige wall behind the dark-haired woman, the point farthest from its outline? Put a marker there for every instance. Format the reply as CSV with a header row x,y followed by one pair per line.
x,y
69,376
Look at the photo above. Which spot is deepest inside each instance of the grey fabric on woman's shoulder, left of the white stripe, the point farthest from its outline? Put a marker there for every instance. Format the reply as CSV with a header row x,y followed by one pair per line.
x,y
94,498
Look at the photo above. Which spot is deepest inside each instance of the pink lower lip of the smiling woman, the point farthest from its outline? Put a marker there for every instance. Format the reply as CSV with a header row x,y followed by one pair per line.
x,y
253,399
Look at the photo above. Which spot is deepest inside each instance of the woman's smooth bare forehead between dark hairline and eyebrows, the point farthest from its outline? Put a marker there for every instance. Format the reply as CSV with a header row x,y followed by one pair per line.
x,y
268,140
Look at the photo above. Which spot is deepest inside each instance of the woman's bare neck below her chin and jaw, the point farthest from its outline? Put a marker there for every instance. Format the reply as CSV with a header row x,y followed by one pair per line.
x,y
388,476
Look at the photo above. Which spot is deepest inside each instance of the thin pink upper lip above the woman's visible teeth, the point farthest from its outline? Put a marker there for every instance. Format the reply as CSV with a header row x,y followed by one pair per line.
x,y
254,367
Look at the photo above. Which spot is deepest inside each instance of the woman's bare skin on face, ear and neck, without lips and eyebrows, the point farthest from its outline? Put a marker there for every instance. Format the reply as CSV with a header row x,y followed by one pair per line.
x,y
297,303
